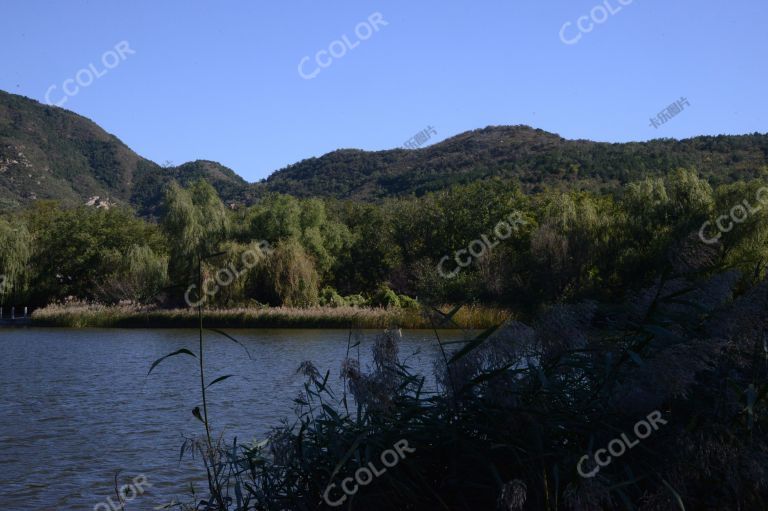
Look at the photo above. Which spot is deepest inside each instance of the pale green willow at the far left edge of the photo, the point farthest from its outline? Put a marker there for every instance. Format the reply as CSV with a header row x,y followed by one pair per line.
x,y
15,252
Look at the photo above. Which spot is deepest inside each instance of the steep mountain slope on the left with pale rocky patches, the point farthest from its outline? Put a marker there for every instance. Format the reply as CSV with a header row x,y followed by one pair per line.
x,y
51,153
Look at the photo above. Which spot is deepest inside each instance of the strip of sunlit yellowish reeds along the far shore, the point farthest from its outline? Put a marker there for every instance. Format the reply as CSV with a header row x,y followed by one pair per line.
x,y
129,316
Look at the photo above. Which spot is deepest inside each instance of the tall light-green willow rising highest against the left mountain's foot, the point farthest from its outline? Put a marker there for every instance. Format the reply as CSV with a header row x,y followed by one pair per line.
x,y
196,222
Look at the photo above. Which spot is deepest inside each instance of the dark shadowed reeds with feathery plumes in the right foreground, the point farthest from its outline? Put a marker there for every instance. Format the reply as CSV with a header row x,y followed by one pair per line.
x,y
520,405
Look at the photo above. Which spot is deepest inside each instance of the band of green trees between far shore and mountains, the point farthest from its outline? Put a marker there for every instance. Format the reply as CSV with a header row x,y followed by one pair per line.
x,y
568,245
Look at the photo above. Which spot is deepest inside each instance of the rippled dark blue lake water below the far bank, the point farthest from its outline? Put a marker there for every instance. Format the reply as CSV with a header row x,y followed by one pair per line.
x,y
77,405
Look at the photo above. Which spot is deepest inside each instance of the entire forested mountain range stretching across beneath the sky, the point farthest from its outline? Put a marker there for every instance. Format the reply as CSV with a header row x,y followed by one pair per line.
x,y
51,153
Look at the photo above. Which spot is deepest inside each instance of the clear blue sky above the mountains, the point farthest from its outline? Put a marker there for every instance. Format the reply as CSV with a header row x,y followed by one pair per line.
x,y
220,80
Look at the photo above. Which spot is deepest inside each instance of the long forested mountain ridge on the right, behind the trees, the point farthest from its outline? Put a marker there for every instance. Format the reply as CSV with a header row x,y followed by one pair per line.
x,y
532,156
